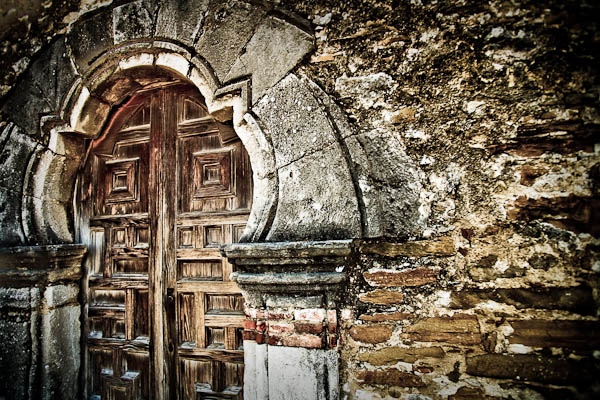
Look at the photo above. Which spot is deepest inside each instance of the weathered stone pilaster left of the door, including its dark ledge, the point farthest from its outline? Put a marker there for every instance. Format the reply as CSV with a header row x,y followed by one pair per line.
x,y
40,321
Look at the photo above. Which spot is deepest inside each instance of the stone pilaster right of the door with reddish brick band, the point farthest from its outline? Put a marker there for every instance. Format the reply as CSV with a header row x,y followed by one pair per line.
x,y
292,294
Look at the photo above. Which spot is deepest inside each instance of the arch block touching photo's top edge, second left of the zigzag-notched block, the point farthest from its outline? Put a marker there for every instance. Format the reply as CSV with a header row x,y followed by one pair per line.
x,y
181,20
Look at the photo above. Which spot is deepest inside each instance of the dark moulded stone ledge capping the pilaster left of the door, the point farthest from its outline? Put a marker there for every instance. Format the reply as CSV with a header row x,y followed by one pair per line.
x,y
38,265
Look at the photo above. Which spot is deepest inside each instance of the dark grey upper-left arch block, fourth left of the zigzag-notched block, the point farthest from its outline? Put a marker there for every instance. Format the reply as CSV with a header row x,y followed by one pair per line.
x,y
90,37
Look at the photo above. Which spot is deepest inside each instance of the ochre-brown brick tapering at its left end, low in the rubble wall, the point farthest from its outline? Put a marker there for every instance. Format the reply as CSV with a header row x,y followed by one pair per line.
x,y
458,329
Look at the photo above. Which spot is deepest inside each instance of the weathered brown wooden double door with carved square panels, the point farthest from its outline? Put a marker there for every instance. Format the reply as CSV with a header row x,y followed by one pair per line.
x,y
162,188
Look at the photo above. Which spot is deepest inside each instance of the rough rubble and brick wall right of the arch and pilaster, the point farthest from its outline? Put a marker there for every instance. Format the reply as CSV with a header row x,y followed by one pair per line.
x,y
489,110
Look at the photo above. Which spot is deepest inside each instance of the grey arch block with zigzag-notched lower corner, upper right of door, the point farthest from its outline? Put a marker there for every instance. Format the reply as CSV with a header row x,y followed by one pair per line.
x,y
276,44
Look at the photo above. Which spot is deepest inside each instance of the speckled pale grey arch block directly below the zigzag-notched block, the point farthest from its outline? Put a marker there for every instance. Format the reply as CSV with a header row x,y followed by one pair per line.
x,y
297,124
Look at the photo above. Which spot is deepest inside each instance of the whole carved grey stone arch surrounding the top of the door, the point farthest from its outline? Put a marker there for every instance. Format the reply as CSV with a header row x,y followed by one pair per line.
x,y
311,175
